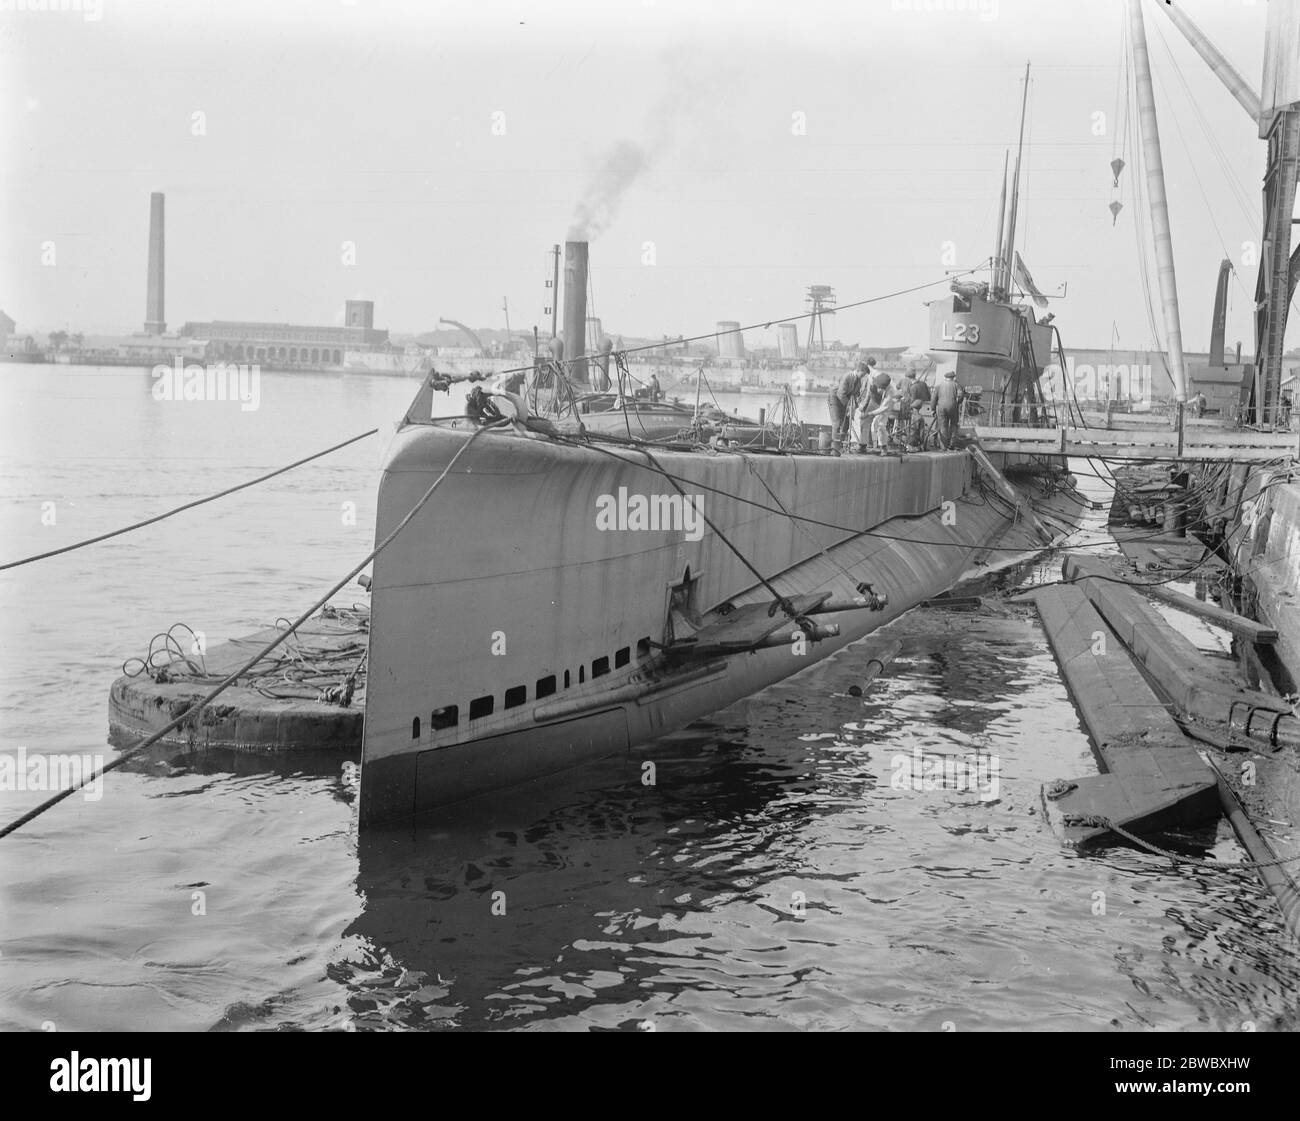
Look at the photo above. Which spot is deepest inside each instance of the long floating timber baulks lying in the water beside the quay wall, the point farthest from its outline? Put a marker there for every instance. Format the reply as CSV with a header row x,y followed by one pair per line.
x,y
1178,738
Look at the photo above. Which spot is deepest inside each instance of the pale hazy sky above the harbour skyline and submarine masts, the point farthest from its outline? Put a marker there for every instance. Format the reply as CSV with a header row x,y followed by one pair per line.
x,y
727,155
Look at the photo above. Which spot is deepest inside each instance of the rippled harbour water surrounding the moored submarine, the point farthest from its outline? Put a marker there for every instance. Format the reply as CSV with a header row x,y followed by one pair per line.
x,y
775,873
